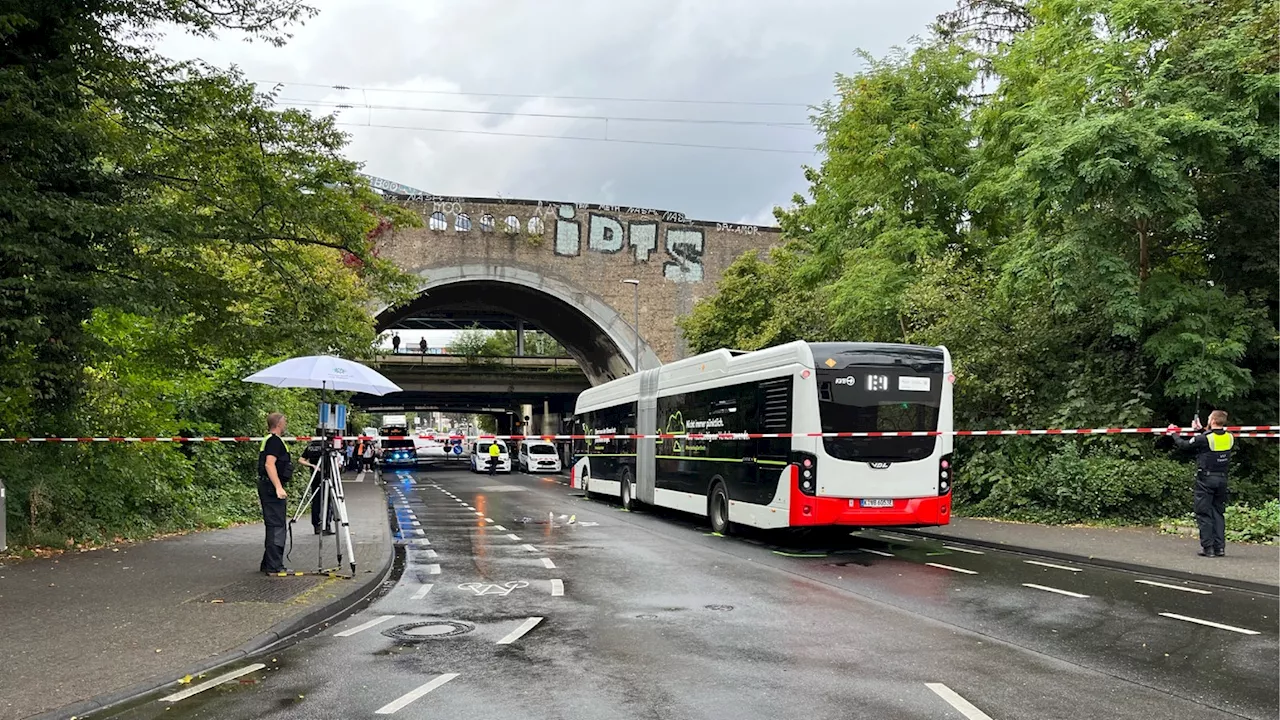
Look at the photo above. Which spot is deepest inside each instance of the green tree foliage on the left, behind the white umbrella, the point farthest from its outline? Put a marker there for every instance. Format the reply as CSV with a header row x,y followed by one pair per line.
x,y
166,231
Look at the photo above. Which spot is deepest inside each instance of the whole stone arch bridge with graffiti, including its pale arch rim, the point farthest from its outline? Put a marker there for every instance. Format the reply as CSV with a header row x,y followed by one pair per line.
x,y
561,268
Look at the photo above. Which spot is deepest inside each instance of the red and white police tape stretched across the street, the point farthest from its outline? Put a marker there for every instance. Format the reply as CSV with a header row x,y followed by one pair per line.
x,y
1238,431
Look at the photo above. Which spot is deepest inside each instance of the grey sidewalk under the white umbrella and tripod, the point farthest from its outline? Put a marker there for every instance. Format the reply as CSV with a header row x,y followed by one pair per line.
x,y
84,631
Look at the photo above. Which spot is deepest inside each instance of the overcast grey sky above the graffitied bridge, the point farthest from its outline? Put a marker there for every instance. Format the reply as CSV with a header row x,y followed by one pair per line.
x,y
729,51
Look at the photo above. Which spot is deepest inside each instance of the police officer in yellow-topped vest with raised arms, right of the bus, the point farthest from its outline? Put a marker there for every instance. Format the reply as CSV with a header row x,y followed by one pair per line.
x,y
1213,458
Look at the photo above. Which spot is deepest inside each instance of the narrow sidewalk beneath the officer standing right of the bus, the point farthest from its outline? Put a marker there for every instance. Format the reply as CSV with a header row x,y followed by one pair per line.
x,y
1247,567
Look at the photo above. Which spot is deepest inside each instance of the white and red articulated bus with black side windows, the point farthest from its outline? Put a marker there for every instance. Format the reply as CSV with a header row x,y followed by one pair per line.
x,y
779,482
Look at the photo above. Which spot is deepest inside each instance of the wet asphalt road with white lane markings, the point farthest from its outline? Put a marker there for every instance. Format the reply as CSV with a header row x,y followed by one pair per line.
x,y
501,612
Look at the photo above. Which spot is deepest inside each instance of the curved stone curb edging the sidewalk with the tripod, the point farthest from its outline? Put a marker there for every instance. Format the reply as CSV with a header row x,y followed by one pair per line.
x,y
278,635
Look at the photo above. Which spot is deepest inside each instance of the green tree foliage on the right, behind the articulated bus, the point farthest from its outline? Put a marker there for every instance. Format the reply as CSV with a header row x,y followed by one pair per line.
x,y
1091,231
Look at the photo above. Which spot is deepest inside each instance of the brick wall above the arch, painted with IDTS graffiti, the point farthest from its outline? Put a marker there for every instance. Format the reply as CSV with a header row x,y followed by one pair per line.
x,y
588,248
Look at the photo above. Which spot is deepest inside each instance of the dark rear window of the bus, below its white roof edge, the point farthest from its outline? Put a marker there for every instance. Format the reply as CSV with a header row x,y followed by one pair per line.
x,y
879,399
